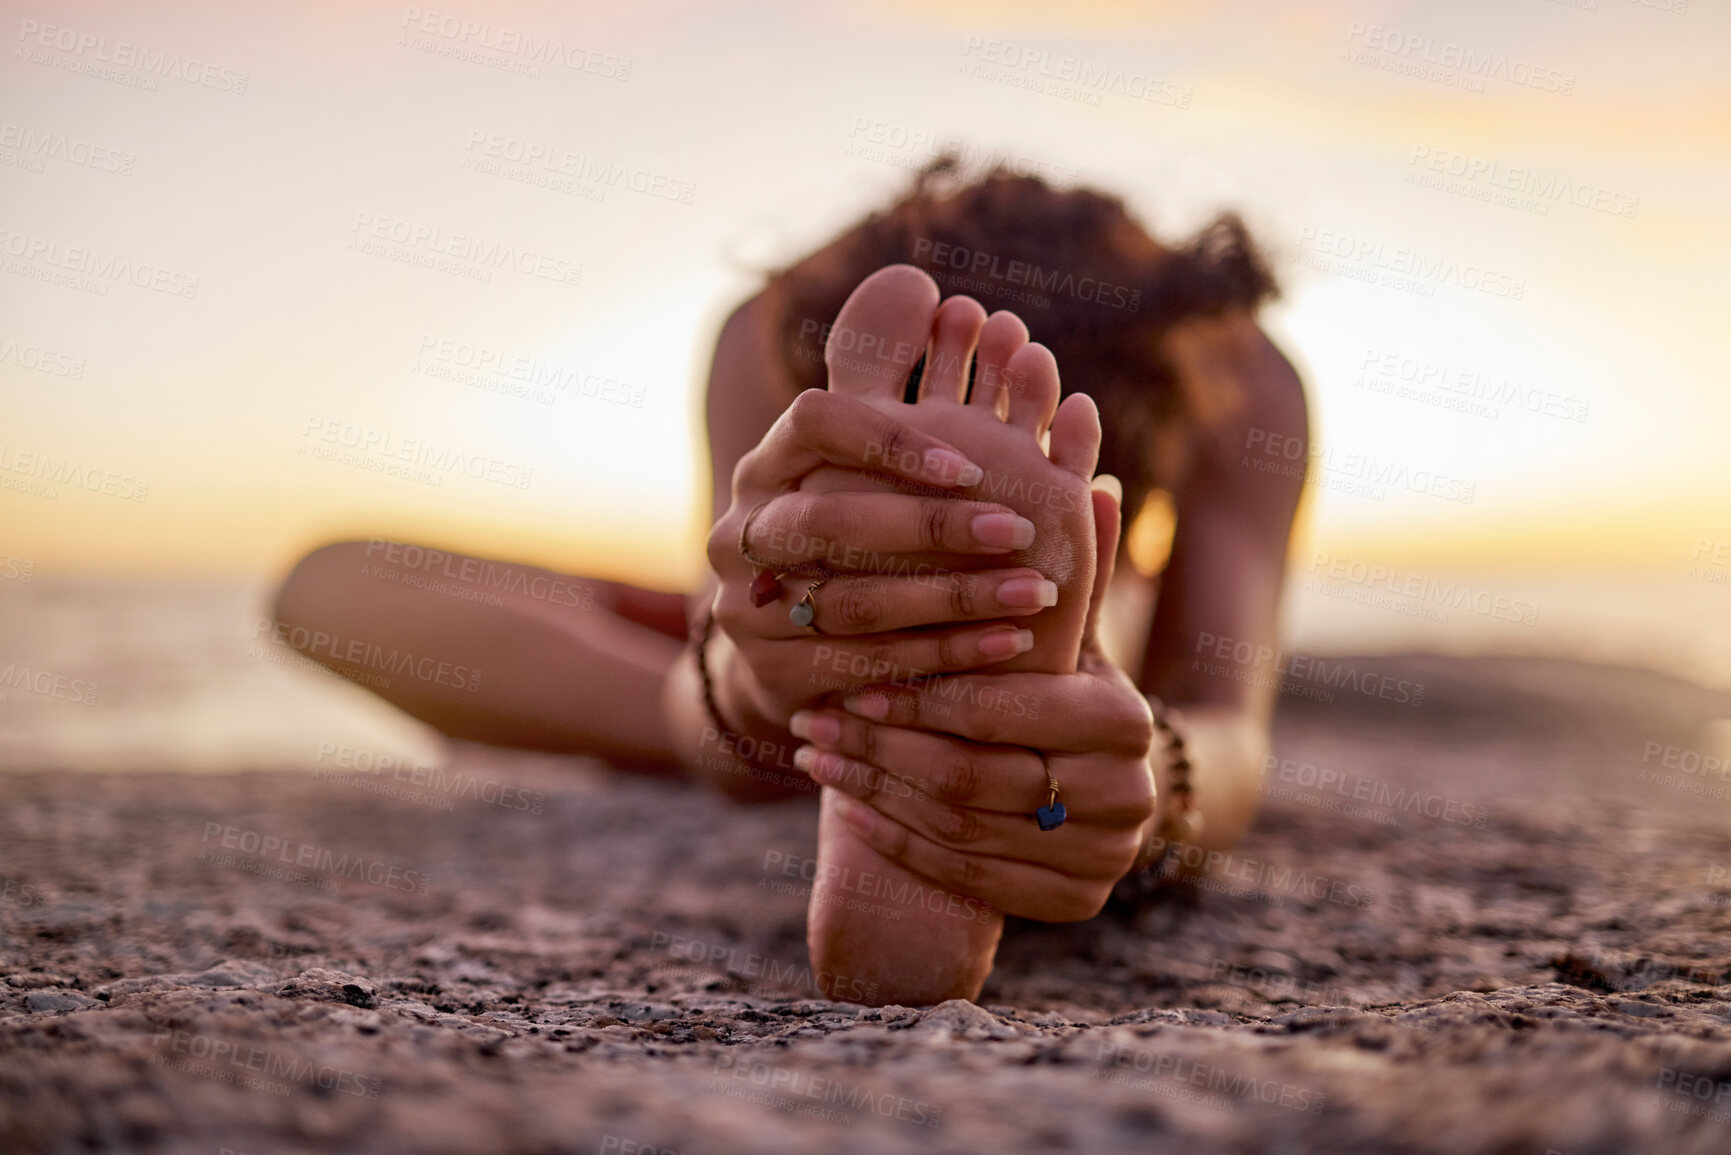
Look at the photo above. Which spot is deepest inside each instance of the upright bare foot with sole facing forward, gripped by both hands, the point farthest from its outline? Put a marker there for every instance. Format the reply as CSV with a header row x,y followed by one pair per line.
x,y
875,926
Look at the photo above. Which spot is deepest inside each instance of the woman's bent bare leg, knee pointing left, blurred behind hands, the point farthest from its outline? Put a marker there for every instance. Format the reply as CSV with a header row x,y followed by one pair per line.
x,y
492,652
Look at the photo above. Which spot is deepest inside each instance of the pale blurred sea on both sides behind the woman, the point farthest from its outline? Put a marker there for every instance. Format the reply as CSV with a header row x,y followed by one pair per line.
x,y
184,676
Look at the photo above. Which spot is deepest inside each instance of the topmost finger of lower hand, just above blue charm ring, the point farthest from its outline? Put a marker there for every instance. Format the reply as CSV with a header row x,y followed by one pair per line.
x,y
1055,713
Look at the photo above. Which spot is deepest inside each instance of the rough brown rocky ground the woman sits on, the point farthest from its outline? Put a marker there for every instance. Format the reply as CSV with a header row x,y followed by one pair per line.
x,y
1495,920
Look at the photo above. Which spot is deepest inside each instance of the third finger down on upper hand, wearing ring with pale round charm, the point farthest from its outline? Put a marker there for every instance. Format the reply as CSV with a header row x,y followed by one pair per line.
x,y
932,597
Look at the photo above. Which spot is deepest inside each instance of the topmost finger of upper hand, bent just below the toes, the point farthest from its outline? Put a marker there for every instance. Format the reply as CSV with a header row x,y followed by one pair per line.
x,y
833,429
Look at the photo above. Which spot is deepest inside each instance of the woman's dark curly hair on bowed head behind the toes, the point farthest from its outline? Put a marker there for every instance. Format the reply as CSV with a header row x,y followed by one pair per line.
x,y
1086,278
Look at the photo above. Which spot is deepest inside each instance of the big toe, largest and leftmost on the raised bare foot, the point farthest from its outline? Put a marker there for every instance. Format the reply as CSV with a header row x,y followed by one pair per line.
x,y
880,333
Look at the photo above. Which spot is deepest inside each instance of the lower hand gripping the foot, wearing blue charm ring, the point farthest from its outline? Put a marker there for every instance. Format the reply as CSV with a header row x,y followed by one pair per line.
x,y
944,777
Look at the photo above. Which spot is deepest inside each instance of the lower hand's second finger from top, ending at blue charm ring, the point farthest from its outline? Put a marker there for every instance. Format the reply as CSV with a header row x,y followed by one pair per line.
x,y
1010,780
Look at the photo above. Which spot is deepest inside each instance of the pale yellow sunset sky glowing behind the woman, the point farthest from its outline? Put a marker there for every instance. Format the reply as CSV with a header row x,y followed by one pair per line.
x,y
1545,183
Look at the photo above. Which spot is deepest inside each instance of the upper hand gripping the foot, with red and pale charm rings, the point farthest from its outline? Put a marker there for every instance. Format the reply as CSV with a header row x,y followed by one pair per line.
x,y
868,609
